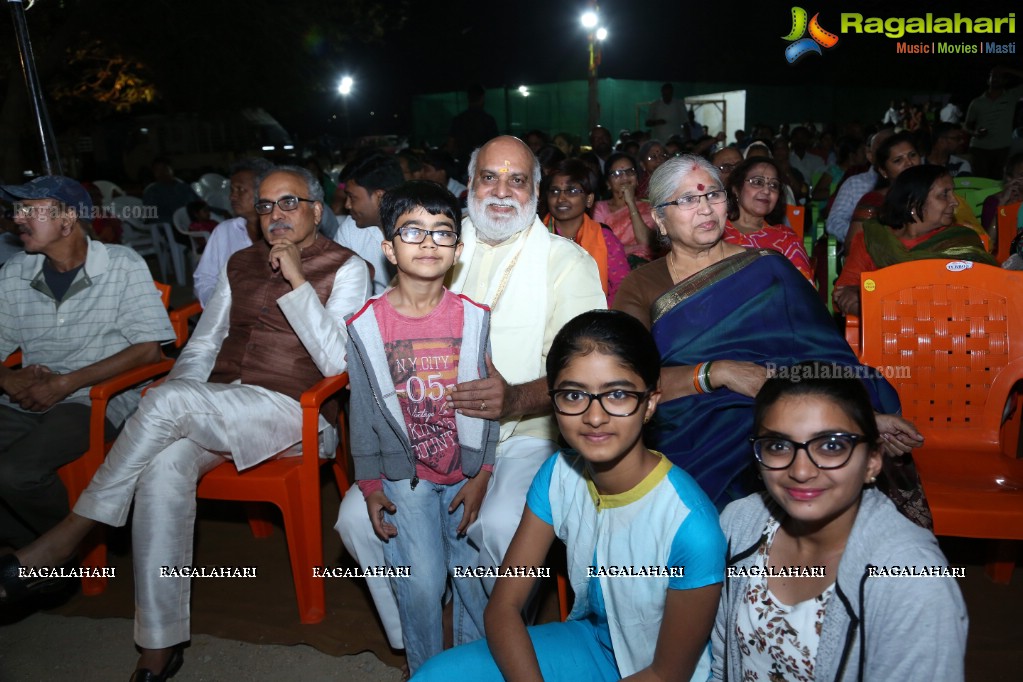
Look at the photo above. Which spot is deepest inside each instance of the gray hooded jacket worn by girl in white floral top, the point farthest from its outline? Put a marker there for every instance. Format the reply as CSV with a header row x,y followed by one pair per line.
x,y
907,629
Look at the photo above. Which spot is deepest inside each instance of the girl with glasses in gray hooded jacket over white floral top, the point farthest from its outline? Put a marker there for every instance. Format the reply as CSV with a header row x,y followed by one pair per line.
x,y
810,593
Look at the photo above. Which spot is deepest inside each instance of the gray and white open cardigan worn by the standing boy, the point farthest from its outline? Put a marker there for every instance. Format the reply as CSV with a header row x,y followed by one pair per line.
x,y
380,440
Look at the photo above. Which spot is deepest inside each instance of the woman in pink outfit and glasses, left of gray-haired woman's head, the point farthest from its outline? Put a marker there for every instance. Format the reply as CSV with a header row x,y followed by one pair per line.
x,y
628,216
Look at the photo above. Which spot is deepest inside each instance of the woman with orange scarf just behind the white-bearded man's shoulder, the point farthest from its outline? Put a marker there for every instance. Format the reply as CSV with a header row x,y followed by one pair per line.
x,y
569,192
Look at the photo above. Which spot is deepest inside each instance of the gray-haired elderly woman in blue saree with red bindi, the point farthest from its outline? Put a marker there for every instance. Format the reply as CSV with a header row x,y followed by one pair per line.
x,y
725,317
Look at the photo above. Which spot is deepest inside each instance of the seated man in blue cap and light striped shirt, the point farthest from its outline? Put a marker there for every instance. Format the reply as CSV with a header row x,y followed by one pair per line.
x,y
81,312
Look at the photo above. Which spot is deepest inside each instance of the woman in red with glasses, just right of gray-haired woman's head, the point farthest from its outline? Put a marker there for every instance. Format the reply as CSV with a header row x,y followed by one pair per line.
x,y
757,213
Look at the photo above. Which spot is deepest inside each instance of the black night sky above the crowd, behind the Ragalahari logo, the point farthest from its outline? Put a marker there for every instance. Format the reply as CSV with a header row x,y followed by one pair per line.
x,y
533,41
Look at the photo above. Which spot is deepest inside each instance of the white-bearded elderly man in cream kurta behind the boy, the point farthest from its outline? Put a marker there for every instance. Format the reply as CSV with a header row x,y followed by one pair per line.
x,y
535,283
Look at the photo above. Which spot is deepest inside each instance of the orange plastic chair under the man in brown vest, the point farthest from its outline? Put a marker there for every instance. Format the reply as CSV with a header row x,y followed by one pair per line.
x,y
293,484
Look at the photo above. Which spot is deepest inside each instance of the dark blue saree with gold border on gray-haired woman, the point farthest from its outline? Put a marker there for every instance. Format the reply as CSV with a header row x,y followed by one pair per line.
x,y
752,307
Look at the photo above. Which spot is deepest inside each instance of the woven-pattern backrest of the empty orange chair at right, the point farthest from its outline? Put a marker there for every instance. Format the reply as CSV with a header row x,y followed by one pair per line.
x,y
949,335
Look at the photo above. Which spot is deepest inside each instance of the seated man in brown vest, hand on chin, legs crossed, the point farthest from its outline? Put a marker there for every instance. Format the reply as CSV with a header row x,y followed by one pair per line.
x,y
274,327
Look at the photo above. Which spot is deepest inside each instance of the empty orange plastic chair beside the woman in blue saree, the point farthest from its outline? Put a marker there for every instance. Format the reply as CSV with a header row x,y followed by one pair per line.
x,y
949,336
